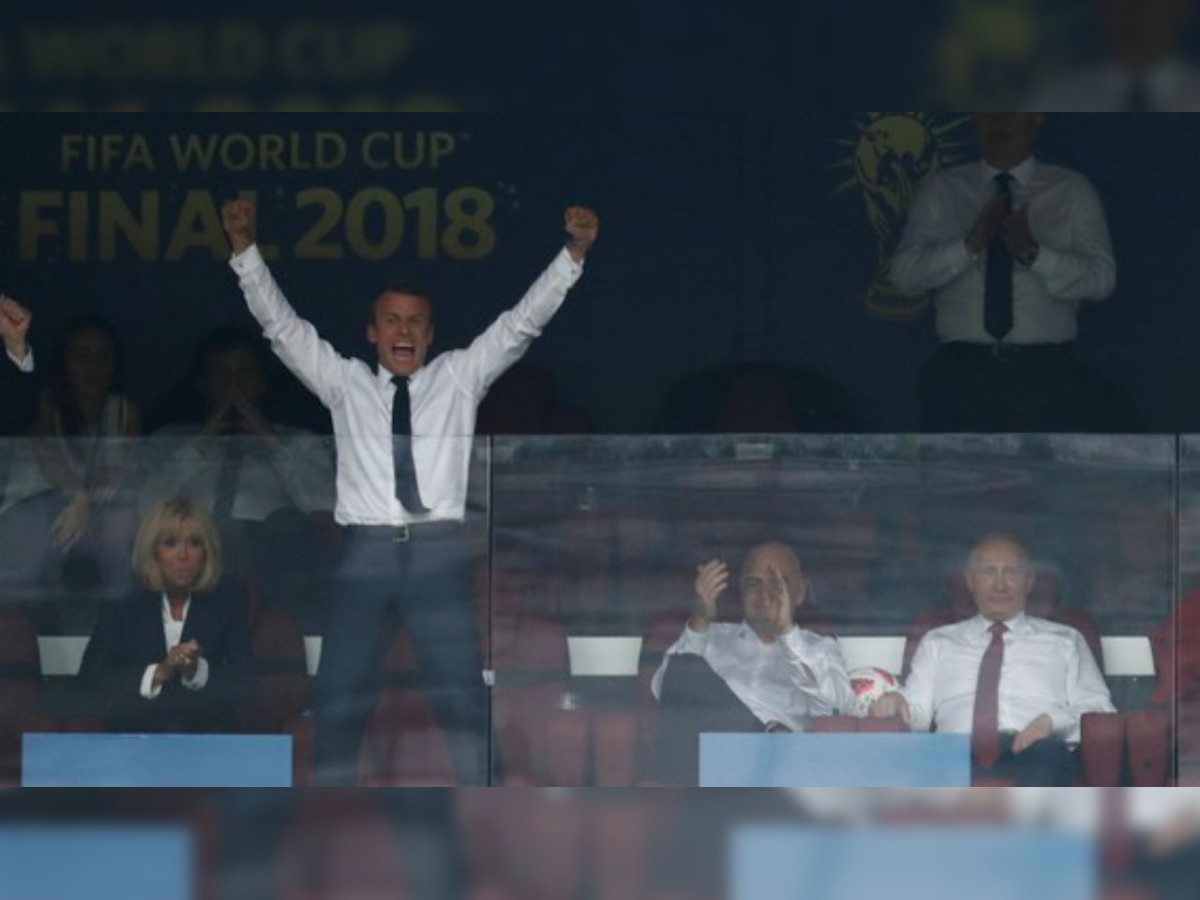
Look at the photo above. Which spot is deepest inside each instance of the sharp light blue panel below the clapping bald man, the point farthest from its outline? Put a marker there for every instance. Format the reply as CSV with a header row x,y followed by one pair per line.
x,y
835,761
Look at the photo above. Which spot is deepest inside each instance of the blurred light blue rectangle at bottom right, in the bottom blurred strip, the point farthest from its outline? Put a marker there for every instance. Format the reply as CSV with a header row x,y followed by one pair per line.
x,y
913,863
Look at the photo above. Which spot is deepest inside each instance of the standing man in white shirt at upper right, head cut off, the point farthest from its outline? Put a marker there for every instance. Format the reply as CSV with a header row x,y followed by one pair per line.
x,y
1010,249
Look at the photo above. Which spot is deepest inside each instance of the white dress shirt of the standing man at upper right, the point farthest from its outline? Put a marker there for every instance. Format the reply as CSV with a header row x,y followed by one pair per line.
x,y
1076,262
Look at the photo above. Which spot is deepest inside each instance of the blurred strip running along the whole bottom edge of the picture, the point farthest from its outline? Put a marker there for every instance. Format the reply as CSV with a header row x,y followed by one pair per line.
x,y
659,845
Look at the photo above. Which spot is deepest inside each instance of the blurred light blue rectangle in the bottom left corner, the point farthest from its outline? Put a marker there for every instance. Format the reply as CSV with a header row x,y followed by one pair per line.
x,y
57,862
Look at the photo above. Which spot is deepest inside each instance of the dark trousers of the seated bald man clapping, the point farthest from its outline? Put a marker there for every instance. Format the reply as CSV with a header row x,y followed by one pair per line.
x,y
694,701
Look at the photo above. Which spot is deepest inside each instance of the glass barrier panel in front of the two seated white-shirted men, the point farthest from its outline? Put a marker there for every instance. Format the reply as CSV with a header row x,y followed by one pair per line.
x,y
641,587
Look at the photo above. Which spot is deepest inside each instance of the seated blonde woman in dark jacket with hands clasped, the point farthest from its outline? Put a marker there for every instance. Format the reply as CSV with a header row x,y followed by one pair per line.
x,y
177,657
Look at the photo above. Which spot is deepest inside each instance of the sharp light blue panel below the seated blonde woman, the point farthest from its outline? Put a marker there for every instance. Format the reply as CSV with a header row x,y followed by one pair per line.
x,y
157,761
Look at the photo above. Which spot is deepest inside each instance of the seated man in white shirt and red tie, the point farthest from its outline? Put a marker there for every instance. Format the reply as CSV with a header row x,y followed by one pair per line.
x,y
1018,685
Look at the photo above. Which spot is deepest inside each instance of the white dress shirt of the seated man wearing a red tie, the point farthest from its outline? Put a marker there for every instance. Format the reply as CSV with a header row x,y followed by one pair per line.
x,y
1048,670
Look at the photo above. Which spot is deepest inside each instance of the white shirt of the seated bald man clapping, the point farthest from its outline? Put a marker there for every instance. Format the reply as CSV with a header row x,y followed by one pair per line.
x,y
799,676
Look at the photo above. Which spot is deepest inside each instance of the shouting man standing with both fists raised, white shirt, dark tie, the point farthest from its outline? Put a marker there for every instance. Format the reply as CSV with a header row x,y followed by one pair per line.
x,y
404,433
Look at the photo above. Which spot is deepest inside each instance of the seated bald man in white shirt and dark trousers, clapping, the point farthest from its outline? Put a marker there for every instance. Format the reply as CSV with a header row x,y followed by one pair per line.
x,y
763,675
